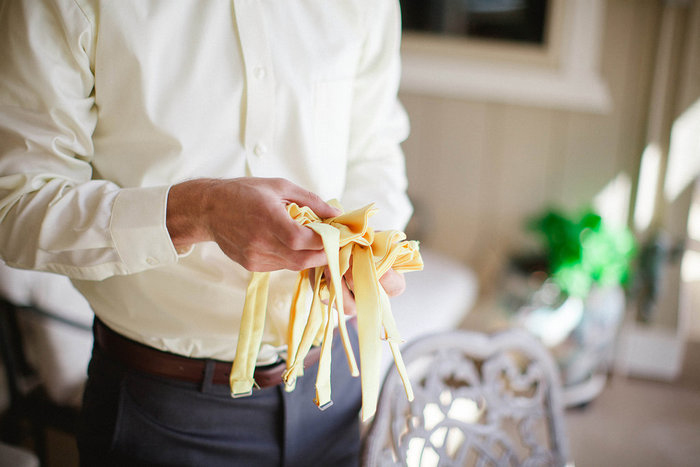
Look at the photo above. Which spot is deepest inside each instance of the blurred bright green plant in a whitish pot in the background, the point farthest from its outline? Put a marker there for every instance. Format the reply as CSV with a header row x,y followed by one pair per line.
x,y
576,300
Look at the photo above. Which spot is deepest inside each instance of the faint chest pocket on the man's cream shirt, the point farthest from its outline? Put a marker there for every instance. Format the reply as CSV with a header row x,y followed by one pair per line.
x,y
332,107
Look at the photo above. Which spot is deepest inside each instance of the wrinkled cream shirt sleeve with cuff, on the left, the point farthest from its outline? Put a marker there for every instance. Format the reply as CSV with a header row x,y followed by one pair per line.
x,y
55,215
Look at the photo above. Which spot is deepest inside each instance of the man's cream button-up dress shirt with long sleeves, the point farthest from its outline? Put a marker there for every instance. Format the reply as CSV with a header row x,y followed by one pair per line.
x,y
105,104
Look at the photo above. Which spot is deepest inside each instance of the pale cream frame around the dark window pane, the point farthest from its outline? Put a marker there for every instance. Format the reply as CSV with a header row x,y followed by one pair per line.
x,y
562,74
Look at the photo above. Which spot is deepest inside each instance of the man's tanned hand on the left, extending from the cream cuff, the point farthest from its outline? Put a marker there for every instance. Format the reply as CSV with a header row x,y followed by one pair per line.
x,y
247,218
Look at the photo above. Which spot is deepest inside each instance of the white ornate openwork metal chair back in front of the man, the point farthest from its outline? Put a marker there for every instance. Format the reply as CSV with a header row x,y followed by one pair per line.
x,y
484,400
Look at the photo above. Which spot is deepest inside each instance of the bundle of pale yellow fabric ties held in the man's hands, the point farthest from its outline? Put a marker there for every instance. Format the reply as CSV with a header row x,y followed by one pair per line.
x,y
348,241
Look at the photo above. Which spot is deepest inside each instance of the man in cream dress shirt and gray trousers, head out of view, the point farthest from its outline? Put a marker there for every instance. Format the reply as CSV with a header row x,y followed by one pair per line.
x,y
148,150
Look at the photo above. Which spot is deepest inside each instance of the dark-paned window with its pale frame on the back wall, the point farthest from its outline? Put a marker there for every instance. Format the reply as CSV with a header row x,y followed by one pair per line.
x,y
555,64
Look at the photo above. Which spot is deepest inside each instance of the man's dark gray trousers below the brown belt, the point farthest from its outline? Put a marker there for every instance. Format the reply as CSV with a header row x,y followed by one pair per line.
x,y
131,418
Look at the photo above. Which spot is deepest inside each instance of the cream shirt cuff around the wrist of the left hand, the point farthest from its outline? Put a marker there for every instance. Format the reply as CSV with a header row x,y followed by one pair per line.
x,y
138,228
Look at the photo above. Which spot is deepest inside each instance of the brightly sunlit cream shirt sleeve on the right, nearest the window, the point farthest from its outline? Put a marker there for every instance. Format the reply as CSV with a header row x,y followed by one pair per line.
x,y
376,166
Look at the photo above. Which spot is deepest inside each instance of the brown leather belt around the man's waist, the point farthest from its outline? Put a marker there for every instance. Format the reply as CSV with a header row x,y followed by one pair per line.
x,y
140,357
